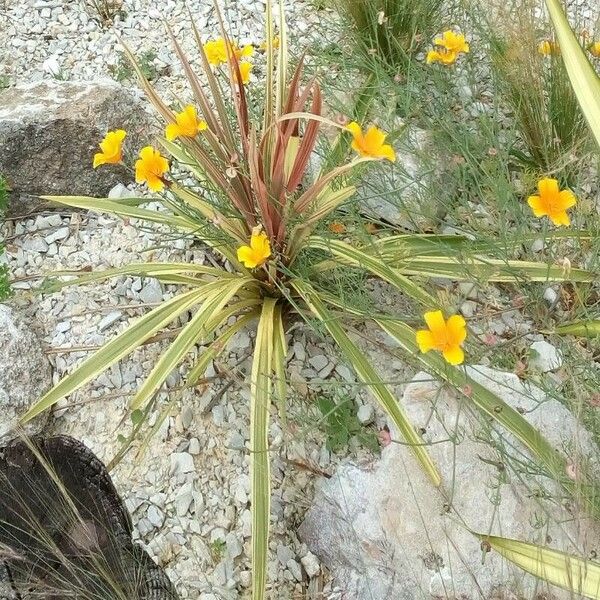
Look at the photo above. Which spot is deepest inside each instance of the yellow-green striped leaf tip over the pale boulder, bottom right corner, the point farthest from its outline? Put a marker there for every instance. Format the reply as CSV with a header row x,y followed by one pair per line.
x,y
572,573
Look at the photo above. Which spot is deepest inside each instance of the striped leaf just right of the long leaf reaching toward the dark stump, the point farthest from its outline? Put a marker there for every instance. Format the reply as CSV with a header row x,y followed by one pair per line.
x,y
184,342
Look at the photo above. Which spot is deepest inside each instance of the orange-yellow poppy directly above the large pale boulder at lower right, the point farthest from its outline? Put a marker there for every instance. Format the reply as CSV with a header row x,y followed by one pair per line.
x,y
445,336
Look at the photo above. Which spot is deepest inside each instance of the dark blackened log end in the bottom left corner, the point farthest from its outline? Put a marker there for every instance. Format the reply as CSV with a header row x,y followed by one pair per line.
x,y
64,530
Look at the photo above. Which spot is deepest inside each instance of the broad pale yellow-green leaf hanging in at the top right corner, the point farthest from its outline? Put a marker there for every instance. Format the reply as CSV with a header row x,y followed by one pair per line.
x,y
584,79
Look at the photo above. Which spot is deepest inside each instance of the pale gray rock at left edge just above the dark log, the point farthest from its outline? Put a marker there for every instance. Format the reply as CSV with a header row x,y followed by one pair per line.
x,y
25,373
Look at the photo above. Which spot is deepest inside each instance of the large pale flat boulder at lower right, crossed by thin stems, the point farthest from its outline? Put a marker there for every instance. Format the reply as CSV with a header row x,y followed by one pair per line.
x,y
386,532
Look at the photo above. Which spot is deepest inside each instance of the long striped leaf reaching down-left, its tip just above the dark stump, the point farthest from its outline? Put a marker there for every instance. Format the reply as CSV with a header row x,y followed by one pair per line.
x,y
122,345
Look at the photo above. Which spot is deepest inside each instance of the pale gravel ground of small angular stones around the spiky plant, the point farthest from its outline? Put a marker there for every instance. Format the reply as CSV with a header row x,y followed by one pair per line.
x,y
188,492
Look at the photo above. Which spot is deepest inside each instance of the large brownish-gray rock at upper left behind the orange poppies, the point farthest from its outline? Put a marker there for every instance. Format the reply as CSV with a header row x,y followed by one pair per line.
x,y
50,131
